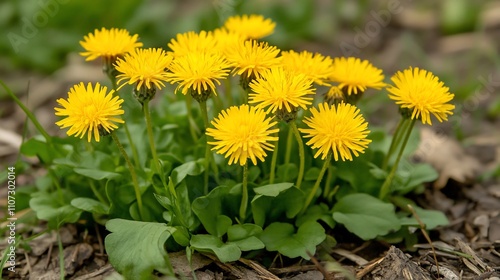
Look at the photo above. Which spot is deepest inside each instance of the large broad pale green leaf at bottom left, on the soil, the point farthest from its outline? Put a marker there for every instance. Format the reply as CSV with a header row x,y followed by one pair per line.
x,y
135,248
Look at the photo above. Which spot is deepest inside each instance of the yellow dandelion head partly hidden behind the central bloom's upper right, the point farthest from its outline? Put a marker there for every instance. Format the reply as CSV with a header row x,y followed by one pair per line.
x,y
316,67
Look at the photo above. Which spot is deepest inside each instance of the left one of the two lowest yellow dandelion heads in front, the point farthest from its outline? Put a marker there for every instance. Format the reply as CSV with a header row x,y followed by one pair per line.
x,y
242,133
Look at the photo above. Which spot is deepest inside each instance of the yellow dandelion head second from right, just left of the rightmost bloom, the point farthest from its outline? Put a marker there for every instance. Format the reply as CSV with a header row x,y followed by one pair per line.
x,y
356,75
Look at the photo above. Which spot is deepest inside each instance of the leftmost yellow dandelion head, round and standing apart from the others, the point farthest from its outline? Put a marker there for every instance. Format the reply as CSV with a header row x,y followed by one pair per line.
x,y
89,110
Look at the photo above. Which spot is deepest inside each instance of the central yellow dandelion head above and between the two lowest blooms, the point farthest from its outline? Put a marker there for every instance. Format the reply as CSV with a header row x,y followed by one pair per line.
x,y
278,89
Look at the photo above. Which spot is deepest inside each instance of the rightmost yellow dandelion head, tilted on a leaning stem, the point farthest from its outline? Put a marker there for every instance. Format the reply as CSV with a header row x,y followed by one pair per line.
x,y
422,93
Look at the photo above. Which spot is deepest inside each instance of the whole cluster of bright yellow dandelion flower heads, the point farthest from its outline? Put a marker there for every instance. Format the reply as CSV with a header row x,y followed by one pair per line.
x,y
278,85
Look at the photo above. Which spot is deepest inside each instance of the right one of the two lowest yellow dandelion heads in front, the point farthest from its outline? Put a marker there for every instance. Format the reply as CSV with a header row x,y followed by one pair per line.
x,y
337,128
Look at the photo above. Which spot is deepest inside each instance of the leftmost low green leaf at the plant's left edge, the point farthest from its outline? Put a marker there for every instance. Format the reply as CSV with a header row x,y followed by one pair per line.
x,y
51,207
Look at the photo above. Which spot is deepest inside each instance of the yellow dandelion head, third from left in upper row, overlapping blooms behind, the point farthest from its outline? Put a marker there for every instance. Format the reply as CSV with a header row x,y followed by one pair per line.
x,y
198,72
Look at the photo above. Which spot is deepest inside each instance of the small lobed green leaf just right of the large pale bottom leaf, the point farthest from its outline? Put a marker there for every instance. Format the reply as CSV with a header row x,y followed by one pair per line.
x,y
228,252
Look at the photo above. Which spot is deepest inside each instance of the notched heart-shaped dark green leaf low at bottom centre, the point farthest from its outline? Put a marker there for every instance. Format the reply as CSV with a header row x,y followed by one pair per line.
x,y
281,237
